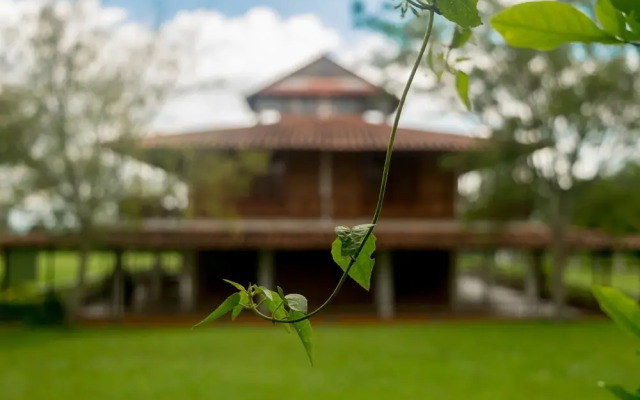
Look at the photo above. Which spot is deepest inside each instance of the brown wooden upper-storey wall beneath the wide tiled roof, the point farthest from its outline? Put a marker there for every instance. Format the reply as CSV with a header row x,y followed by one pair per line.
x,y
418,187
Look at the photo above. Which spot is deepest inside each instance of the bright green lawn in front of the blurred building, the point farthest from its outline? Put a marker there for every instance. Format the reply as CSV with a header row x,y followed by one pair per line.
x,y
447,361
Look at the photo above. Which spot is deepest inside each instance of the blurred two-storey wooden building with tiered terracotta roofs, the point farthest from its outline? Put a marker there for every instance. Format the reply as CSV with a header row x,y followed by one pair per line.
x,y
326,134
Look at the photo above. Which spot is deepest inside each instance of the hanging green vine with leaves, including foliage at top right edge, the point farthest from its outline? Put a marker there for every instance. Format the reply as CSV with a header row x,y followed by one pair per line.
x,y
541,25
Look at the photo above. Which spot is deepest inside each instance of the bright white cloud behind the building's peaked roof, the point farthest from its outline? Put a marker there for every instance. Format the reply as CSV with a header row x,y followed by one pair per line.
x,y
241,54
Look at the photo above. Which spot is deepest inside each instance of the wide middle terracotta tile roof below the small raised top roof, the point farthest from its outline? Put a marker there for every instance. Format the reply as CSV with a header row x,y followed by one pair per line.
x,y
308,133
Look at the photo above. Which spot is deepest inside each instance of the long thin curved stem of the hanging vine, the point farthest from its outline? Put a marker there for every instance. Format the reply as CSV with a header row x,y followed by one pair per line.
x,y
383,185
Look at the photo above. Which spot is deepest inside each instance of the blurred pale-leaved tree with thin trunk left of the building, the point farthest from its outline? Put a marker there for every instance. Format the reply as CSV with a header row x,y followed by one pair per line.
x,y
69,86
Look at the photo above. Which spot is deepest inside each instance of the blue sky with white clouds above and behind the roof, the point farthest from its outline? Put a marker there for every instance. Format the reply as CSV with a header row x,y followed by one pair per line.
x,y
229,48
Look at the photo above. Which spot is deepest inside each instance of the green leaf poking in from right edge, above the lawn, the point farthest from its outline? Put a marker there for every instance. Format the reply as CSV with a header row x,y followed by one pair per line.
x,y
622,309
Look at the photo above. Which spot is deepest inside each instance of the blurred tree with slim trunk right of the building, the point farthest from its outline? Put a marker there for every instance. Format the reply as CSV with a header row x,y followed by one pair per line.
x,y
559,121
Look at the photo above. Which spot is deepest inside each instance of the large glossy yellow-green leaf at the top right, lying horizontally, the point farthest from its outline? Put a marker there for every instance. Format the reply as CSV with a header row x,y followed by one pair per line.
x,y
545,25
